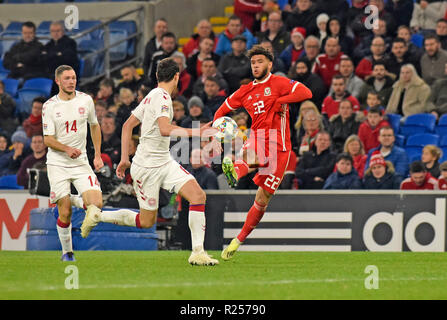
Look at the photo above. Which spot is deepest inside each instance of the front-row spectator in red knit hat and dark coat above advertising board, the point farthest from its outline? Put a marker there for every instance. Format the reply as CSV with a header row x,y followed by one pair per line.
x,y
380,174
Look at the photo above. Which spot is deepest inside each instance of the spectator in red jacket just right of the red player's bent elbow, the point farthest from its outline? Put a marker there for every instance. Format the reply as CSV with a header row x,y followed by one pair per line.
x,y
331,103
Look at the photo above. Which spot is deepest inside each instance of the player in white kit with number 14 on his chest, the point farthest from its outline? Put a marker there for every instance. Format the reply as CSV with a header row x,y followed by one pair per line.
x,y
64,119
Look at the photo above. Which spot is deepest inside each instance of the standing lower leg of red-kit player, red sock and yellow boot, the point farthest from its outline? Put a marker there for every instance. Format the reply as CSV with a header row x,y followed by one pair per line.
x,y
254,216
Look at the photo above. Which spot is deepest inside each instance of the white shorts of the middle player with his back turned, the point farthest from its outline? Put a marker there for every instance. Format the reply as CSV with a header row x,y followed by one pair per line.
x,y
148,181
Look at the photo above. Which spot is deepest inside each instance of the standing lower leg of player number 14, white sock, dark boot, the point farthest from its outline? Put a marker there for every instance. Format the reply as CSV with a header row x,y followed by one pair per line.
x,y
63,227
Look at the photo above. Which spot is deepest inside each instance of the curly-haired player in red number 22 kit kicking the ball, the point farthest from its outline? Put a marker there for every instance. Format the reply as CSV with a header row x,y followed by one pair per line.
x,y
266,99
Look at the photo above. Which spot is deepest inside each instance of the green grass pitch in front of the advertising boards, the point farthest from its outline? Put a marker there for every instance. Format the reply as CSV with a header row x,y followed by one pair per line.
x,y
166,275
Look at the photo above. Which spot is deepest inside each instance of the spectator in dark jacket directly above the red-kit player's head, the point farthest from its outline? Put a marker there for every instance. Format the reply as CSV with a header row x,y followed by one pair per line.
x,y
276,33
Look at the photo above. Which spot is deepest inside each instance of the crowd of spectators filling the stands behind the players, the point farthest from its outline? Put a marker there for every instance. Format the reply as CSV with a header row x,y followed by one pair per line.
x,y
343,138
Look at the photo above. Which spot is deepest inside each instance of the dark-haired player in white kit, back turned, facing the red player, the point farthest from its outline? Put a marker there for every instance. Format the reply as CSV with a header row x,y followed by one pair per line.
x,y
153,167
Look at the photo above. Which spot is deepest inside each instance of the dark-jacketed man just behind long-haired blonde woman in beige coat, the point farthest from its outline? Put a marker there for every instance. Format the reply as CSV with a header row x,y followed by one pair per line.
x,y
400,56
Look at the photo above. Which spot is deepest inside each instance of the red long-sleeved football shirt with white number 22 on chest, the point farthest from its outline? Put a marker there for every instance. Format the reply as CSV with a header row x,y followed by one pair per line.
x,y
267,103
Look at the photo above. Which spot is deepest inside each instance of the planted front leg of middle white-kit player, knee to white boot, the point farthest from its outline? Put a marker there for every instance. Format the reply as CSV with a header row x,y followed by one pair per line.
x,y
196,197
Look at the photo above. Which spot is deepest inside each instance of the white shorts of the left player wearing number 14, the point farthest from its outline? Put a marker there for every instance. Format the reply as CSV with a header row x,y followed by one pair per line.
x,y
82,177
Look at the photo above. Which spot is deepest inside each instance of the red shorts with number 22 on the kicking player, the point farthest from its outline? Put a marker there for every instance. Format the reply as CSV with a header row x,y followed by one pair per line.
x,y
269,177
